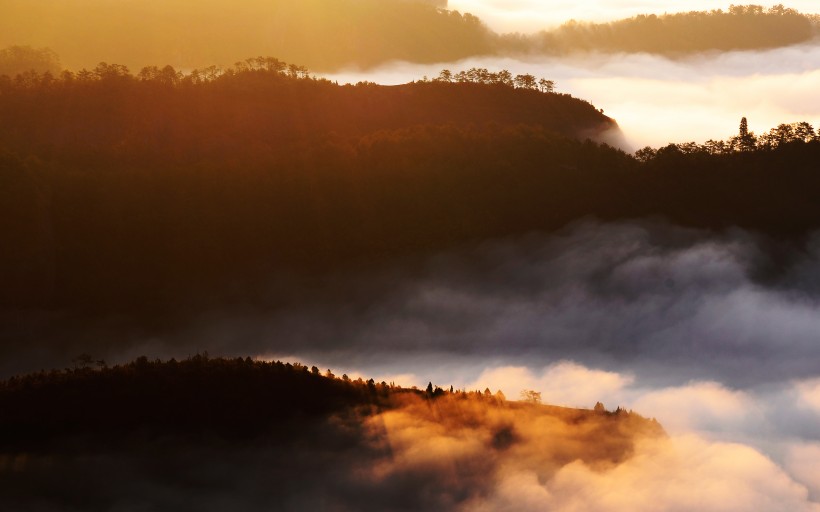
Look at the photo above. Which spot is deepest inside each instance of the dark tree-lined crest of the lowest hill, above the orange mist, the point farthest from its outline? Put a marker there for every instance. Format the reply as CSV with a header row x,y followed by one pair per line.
x,y
229,397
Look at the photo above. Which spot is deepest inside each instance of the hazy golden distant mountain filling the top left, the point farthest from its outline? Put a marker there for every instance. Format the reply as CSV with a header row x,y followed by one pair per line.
x,y
323,34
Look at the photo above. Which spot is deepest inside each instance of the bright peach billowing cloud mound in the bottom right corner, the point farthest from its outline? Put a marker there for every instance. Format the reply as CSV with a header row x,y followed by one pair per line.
x,y
679,474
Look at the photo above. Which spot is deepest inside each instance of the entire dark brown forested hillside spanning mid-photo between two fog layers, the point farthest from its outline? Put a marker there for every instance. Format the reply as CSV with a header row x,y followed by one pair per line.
x,y
123,192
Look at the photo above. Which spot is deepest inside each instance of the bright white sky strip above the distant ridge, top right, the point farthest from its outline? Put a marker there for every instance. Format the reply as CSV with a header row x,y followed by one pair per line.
x,y
534,15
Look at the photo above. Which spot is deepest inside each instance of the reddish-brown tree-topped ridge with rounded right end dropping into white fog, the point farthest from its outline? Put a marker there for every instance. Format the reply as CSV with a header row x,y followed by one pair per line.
x,y
262,107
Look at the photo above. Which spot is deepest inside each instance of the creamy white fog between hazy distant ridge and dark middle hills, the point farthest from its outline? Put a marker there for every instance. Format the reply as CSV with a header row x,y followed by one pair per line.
x,y
657,101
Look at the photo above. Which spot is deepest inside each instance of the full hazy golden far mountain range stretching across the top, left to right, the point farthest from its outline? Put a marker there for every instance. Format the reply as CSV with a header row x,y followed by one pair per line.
x,y
333,34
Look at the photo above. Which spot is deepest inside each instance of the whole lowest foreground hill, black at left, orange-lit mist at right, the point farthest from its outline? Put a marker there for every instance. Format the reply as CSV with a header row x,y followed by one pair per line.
x,y
215,434
